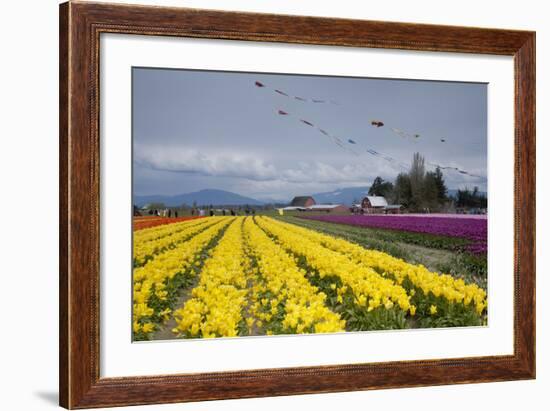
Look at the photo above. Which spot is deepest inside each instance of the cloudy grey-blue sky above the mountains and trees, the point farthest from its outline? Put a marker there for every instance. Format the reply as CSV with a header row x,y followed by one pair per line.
x,y
195,130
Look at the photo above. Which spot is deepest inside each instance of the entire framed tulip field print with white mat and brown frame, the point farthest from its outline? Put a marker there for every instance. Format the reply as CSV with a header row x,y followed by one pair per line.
x,y
259,205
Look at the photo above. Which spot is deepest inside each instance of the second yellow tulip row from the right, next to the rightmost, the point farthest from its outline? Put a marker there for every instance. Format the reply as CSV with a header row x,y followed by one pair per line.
x,y
370,289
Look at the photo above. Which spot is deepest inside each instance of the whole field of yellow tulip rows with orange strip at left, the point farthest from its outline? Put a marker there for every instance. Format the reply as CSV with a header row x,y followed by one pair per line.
x,y
239,276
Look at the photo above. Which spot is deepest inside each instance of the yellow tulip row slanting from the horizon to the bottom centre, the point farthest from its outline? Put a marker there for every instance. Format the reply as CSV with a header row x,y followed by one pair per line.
x,y
281,286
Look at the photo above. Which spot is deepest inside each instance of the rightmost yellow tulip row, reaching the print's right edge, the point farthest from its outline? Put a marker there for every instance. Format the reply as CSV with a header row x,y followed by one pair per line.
x,y
440,285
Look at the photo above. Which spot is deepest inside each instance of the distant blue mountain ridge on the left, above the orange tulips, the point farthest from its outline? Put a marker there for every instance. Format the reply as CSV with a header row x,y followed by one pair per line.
x,y
202,197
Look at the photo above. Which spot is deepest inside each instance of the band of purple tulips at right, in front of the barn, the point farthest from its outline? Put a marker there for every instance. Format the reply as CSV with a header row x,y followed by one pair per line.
x,y
471,229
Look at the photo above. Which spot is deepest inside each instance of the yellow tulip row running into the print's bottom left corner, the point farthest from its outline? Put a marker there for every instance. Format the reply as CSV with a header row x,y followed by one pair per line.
x,y
152,278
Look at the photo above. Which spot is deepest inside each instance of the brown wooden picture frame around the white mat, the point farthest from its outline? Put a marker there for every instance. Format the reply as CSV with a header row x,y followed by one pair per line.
x,y
81,25
